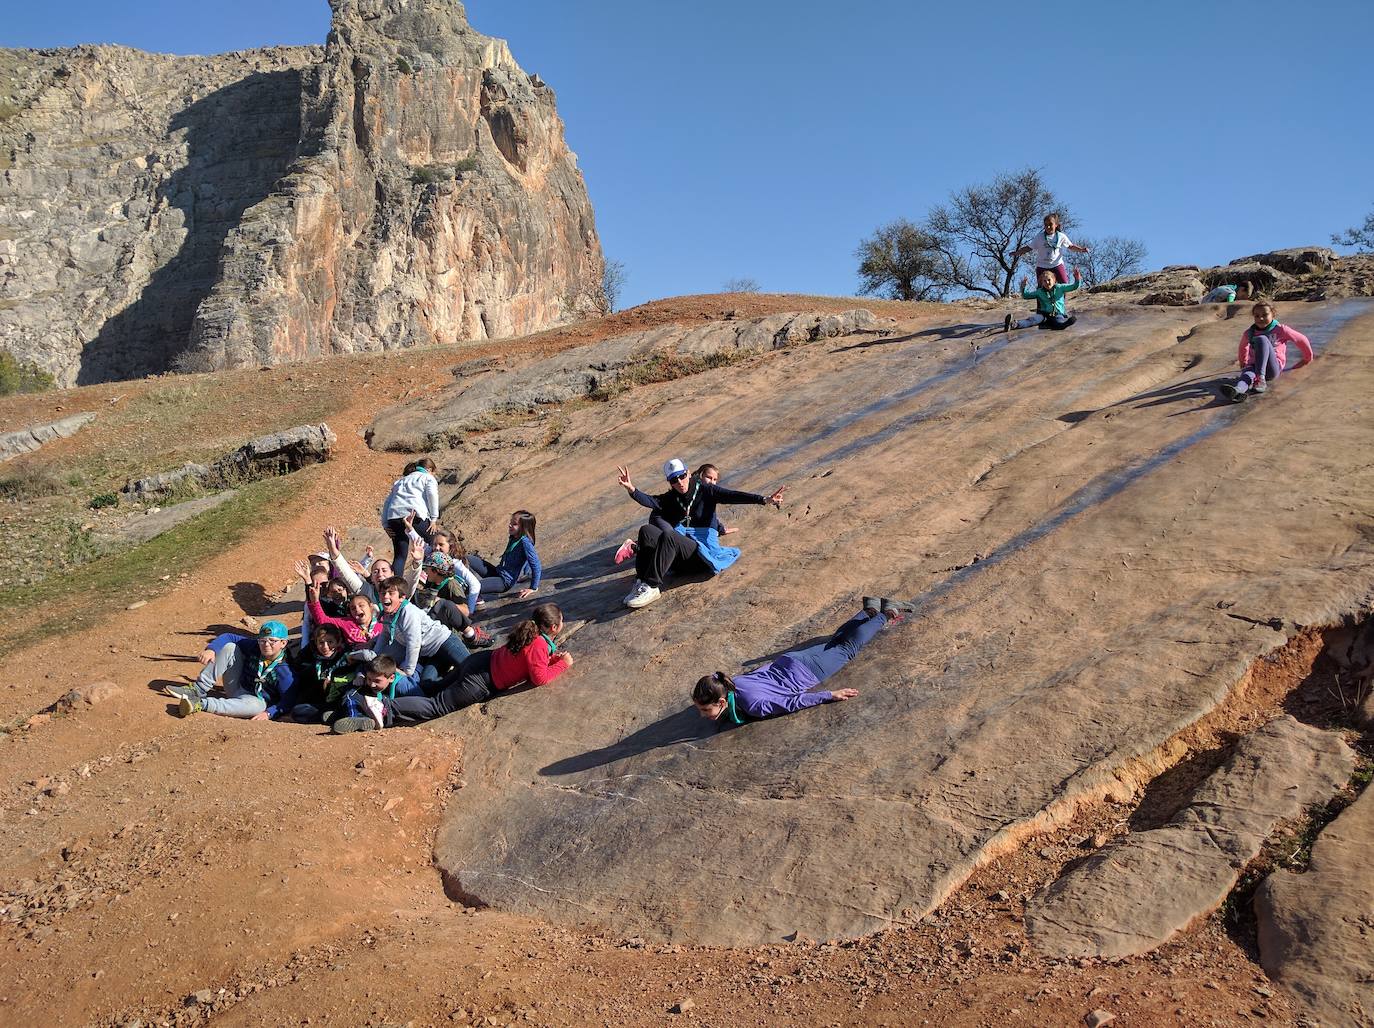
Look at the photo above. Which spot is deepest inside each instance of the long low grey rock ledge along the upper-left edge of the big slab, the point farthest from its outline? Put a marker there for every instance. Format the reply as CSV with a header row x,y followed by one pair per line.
x,y
602,368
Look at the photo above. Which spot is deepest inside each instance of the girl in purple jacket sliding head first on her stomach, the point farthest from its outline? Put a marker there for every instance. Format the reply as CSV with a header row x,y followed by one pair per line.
x,y
785,685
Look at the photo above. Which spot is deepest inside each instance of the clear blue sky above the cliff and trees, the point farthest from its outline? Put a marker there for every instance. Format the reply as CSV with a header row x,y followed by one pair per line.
x,y
766,139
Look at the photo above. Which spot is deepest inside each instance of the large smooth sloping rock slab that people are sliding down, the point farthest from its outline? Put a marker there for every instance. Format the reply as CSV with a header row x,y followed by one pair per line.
x,y
1077,515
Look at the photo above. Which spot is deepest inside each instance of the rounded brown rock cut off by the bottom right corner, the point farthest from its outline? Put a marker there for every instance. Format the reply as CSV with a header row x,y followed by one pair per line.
x,y
1316,928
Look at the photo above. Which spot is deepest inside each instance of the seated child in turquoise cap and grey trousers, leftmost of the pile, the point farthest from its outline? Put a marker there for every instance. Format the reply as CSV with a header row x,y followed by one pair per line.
x,y
255,675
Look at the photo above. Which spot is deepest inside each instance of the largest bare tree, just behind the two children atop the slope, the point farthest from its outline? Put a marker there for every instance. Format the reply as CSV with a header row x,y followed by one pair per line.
x,y
978,230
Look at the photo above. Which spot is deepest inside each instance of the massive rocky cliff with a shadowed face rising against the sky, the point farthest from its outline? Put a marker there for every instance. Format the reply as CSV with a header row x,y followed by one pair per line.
x,y
407,185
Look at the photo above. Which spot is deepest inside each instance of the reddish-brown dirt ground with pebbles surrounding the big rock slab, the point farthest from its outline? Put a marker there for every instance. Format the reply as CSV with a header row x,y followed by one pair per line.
x,y
178,872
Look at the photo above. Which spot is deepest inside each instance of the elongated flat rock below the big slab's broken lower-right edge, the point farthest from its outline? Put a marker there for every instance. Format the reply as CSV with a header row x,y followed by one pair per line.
x,y
1131,897
